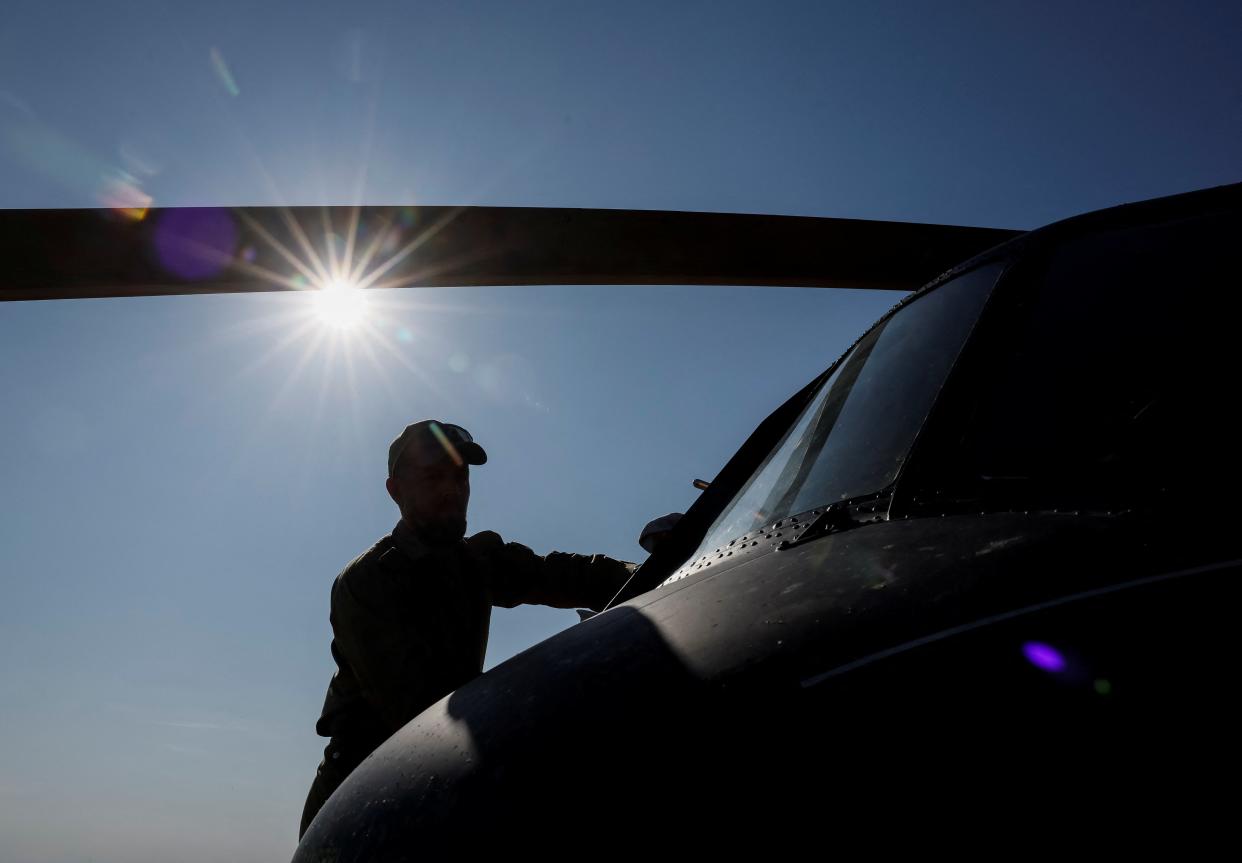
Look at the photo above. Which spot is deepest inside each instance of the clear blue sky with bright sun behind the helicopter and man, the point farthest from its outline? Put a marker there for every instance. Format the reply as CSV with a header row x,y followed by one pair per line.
x,y
183,477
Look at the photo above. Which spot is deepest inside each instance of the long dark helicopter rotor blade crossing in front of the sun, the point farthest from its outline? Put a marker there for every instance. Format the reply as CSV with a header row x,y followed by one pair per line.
x,y
81,254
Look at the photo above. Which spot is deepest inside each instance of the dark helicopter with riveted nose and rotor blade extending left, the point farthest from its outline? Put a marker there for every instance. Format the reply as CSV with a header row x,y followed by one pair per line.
x,y
973,582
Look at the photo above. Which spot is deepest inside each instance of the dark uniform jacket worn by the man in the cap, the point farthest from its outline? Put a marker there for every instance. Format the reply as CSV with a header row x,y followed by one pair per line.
x,y
410,623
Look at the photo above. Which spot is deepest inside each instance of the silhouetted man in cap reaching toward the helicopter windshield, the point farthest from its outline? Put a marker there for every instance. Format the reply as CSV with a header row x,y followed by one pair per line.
x,y
410,617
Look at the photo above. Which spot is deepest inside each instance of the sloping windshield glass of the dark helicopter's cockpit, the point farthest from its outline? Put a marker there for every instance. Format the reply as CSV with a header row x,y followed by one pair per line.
x,y
853,438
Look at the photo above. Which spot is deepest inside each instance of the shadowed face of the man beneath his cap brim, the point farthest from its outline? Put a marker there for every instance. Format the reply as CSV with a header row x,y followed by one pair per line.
x,y
433,497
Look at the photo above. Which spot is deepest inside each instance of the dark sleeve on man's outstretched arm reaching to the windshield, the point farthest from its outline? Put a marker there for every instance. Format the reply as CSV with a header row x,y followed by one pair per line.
x,y
517,576
